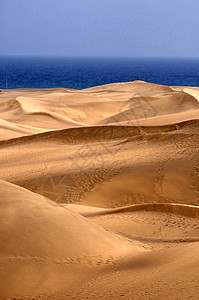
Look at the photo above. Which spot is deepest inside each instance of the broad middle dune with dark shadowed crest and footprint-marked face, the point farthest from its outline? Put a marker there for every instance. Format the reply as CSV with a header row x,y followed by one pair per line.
x,y
101,162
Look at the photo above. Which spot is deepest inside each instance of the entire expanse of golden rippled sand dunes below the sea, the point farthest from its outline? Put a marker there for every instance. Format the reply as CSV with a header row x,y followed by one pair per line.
x,y
99,192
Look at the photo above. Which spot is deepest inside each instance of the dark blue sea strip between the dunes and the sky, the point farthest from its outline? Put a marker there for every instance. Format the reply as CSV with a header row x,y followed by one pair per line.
x,y
80,73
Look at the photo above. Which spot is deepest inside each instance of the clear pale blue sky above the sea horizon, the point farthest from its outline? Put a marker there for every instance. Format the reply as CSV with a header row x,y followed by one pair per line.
x,y
100,28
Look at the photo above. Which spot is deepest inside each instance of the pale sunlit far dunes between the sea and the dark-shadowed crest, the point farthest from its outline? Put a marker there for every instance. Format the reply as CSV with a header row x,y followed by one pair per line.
x,y
133,103
